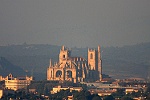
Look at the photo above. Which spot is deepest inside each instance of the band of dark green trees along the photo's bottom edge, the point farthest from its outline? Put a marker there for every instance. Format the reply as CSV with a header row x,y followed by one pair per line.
x,y
82,95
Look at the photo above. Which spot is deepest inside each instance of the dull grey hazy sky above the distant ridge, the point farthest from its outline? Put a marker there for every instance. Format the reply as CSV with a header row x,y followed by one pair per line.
x,y
73,23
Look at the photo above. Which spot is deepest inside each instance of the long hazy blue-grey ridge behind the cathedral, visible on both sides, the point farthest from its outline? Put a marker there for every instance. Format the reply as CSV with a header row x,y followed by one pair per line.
x,y
118,62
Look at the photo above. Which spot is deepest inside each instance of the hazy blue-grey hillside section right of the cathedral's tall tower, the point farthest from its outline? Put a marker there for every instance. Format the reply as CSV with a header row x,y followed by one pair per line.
x,y
127,61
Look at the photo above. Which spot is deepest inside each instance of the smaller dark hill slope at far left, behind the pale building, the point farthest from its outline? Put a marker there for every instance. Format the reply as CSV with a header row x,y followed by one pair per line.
x,y
6,68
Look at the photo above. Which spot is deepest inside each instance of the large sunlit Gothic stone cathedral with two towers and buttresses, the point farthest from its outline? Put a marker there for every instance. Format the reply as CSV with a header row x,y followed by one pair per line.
x,y
76,69
